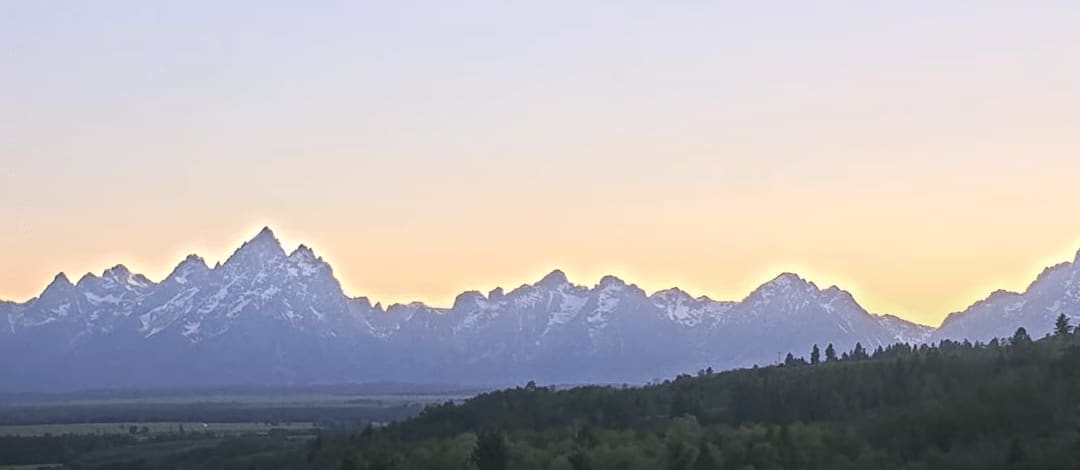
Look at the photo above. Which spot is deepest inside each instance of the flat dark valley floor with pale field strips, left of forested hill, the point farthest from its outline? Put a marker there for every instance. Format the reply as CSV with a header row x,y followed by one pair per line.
x,y
115,428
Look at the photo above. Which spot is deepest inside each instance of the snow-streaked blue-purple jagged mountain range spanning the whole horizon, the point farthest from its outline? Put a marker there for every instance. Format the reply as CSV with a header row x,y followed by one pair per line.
x,y
267,317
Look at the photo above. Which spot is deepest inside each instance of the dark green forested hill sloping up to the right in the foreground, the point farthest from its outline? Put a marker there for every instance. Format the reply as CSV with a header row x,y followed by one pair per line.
x,y
1009,405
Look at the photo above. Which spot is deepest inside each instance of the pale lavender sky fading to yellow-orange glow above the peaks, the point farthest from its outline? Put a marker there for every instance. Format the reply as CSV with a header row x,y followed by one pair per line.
x,y
919,154
